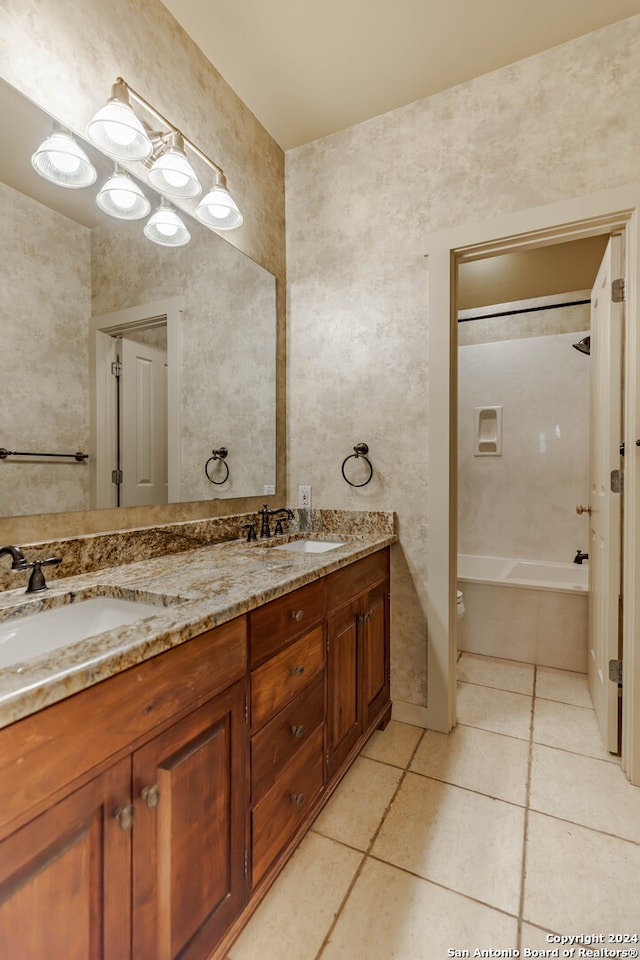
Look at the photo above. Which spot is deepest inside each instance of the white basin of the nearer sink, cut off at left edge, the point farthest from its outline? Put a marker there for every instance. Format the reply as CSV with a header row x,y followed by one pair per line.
x,y
23,638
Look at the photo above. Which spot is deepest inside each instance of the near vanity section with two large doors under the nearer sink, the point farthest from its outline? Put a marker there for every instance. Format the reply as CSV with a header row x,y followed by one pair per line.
x,y
137,789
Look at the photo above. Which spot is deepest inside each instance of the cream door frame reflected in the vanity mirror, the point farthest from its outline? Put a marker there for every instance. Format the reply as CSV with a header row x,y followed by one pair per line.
x,y
101,329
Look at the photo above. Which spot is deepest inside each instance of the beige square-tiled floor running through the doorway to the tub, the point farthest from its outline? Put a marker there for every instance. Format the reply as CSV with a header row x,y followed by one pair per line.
x,y
516,825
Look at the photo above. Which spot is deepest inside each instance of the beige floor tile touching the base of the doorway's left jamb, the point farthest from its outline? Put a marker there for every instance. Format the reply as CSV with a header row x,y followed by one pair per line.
x,y
476,759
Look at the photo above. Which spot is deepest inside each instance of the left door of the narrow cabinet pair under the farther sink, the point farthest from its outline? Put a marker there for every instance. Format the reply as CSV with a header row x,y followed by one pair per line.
x,y
344,700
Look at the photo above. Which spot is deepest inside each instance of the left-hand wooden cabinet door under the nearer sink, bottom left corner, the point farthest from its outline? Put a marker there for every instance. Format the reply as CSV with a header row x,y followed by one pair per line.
x,y
65,877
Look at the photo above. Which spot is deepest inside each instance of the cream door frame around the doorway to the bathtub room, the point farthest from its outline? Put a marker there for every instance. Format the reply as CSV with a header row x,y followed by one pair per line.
x,y
614,210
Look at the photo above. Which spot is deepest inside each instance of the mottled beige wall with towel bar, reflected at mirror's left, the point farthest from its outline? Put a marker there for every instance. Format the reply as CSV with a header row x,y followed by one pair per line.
x,y
44,367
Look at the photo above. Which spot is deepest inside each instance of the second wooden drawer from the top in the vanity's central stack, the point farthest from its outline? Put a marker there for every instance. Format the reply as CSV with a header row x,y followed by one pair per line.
x,y
280,679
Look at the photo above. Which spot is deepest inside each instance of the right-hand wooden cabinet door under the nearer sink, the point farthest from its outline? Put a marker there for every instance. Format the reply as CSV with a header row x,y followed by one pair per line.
x,y
189,851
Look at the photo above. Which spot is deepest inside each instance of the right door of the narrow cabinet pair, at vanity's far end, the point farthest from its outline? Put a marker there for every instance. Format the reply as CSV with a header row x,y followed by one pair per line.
x,y
376,652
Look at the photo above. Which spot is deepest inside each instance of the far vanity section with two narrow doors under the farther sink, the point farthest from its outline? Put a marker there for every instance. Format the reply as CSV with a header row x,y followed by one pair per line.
x,y
358,669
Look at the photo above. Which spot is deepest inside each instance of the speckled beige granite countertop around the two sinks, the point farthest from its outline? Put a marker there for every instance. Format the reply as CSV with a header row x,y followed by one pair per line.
x,y
195,591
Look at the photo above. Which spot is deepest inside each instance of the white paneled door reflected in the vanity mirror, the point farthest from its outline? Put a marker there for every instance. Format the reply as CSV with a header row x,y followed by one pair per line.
x,y
143,424
